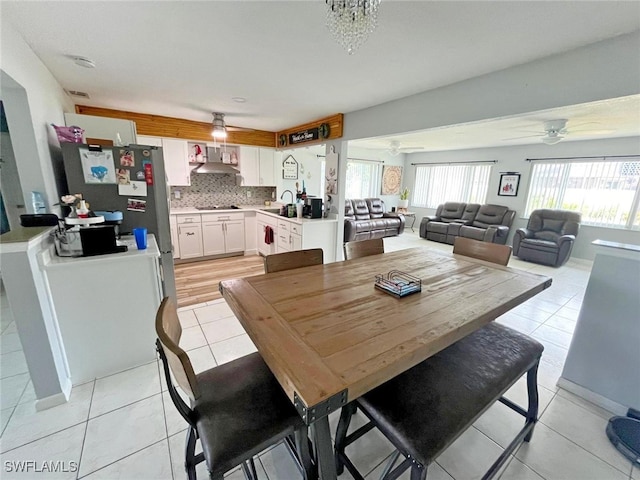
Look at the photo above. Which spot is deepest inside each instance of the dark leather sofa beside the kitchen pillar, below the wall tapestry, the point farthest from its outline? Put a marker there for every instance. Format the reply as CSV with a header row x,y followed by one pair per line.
x,y
366,218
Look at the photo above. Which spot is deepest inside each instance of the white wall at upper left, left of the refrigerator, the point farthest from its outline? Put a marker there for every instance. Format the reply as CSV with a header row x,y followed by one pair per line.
x,y
33,99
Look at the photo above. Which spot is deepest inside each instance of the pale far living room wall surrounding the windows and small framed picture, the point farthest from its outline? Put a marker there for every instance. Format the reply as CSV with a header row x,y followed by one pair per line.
x,y
513,159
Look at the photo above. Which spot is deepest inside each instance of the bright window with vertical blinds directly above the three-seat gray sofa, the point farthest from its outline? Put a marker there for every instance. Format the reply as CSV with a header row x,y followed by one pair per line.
x,y
436,184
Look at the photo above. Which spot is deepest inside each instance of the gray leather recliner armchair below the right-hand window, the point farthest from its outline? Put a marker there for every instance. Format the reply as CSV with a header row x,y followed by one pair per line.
x,y
548,238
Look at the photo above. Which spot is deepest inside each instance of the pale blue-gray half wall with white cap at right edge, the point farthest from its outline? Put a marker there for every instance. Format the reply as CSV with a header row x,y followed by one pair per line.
x,y
604,356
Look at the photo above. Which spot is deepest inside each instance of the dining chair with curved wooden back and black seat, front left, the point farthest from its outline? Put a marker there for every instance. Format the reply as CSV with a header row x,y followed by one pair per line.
x,y
236,409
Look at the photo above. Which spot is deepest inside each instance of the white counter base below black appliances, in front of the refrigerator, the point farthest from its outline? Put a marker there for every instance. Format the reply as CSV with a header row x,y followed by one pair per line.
x,y
106,306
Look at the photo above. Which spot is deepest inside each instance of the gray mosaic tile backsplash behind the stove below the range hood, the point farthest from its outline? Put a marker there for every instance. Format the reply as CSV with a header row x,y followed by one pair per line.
x,y
218,189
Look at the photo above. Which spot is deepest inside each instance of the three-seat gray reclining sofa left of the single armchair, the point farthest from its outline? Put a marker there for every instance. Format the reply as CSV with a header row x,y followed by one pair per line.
x,y
488,223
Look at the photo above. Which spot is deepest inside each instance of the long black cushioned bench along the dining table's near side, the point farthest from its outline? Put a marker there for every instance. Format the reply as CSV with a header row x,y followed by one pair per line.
x,y
423,410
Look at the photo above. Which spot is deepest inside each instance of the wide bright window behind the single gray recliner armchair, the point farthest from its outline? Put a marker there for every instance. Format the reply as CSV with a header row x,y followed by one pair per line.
x,y
605,191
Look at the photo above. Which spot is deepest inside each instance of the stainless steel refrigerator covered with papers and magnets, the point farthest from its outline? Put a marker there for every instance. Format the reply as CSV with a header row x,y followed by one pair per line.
x,y
130,179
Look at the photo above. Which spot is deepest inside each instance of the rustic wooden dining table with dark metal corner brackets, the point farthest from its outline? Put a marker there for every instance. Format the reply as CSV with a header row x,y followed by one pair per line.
x,y
329,336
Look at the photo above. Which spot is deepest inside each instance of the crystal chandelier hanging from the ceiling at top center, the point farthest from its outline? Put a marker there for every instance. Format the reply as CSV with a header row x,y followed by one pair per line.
x,y
351,21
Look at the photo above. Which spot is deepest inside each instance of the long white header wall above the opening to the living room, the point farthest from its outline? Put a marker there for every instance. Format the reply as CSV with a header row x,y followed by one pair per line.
x,y
600,71
